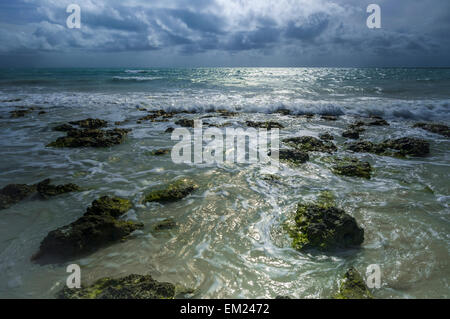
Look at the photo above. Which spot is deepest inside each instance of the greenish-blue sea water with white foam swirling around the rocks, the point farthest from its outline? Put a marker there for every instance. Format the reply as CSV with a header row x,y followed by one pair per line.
x,y
229,243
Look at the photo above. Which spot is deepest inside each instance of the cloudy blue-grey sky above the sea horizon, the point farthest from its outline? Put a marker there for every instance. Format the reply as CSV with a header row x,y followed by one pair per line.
x,y
224,33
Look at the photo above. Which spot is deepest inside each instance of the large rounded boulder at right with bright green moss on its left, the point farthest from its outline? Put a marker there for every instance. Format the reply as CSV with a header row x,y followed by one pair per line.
x,y
323,226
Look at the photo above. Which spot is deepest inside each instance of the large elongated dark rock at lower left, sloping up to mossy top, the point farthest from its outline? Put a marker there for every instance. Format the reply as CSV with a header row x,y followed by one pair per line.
x,y
99,226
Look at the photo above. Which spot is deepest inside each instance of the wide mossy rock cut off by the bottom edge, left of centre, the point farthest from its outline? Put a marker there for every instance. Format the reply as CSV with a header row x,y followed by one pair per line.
x,y
129,287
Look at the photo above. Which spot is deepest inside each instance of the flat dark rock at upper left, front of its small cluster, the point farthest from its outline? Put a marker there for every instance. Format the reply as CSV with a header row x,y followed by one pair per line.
x,y
91,138
